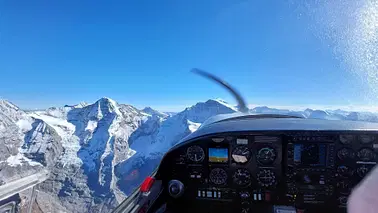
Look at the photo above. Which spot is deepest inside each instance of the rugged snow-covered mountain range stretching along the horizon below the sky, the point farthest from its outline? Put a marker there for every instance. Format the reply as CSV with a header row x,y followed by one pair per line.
x,y
98,153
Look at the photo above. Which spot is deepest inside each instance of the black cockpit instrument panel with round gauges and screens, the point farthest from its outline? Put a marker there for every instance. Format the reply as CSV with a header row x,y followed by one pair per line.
x,y
307,169
